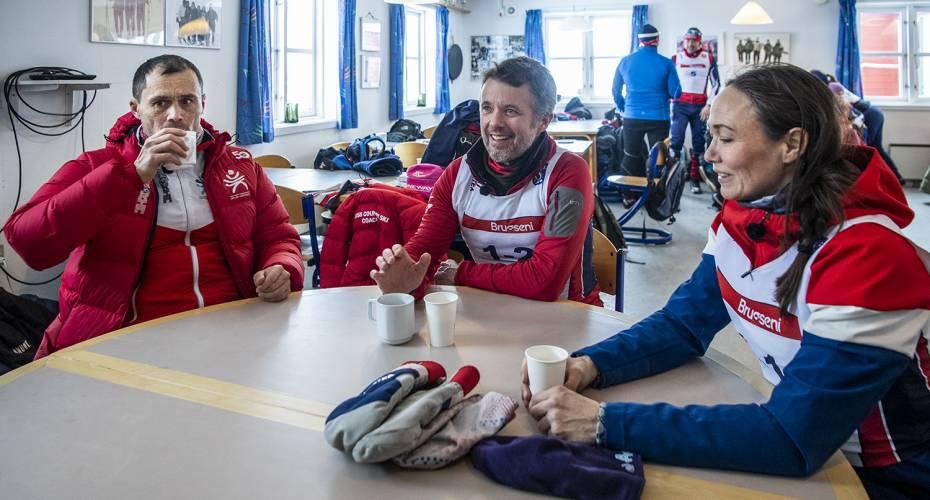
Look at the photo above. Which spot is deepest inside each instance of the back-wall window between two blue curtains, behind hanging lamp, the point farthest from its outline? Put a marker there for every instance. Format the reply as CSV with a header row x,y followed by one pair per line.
x,y
583,62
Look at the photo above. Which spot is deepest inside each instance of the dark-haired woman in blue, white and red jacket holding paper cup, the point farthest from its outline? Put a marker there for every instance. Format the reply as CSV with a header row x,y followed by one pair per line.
x,y
808,261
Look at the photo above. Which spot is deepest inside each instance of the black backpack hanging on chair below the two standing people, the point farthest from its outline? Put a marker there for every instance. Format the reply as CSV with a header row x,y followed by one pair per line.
x,y
667,180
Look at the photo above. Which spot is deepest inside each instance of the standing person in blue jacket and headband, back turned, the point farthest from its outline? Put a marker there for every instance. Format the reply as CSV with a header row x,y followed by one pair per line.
x,y
651,82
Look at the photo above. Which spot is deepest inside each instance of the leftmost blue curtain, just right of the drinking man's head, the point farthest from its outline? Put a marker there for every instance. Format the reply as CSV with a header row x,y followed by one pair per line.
x,y
254,121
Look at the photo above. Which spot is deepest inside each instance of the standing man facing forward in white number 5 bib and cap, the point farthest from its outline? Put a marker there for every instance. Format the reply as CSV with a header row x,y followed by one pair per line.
x,y
697,69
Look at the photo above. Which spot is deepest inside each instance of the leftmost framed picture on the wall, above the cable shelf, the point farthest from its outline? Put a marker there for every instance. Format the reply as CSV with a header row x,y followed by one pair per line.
x,y
136,22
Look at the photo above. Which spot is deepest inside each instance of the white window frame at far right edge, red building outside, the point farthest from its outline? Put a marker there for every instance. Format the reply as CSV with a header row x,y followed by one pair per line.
x,y
909,56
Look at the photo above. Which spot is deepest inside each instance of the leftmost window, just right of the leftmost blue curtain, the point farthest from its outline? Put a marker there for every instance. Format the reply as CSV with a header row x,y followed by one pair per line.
x,y
304,48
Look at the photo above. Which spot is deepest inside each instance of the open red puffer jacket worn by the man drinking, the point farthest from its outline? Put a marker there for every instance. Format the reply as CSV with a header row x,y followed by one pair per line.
x,y
96,210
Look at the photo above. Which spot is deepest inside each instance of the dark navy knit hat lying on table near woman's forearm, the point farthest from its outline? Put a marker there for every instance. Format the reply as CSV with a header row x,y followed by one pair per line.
x,y
548,465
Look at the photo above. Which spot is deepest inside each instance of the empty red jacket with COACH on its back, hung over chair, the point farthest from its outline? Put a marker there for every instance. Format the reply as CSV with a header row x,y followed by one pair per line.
x,y
369,221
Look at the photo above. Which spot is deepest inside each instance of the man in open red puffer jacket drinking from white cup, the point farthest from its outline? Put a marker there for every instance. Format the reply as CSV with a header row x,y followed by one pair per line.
x,y
145,236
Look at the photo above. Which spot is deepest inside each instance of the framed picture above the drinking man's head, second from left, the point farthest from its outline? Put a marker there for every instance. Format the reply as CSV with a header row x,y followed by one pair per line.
x,y
193,23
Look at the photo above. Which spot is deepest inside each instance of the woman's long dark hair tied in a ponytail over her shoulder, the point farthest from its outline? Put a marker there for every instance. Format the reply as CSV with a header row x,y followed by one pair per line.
x,y
784,97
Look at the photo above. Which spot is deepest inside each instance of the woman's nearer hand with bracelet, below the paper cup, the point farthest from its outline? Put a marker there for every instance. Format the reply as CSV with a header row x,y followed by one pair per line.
x,y
565,414
